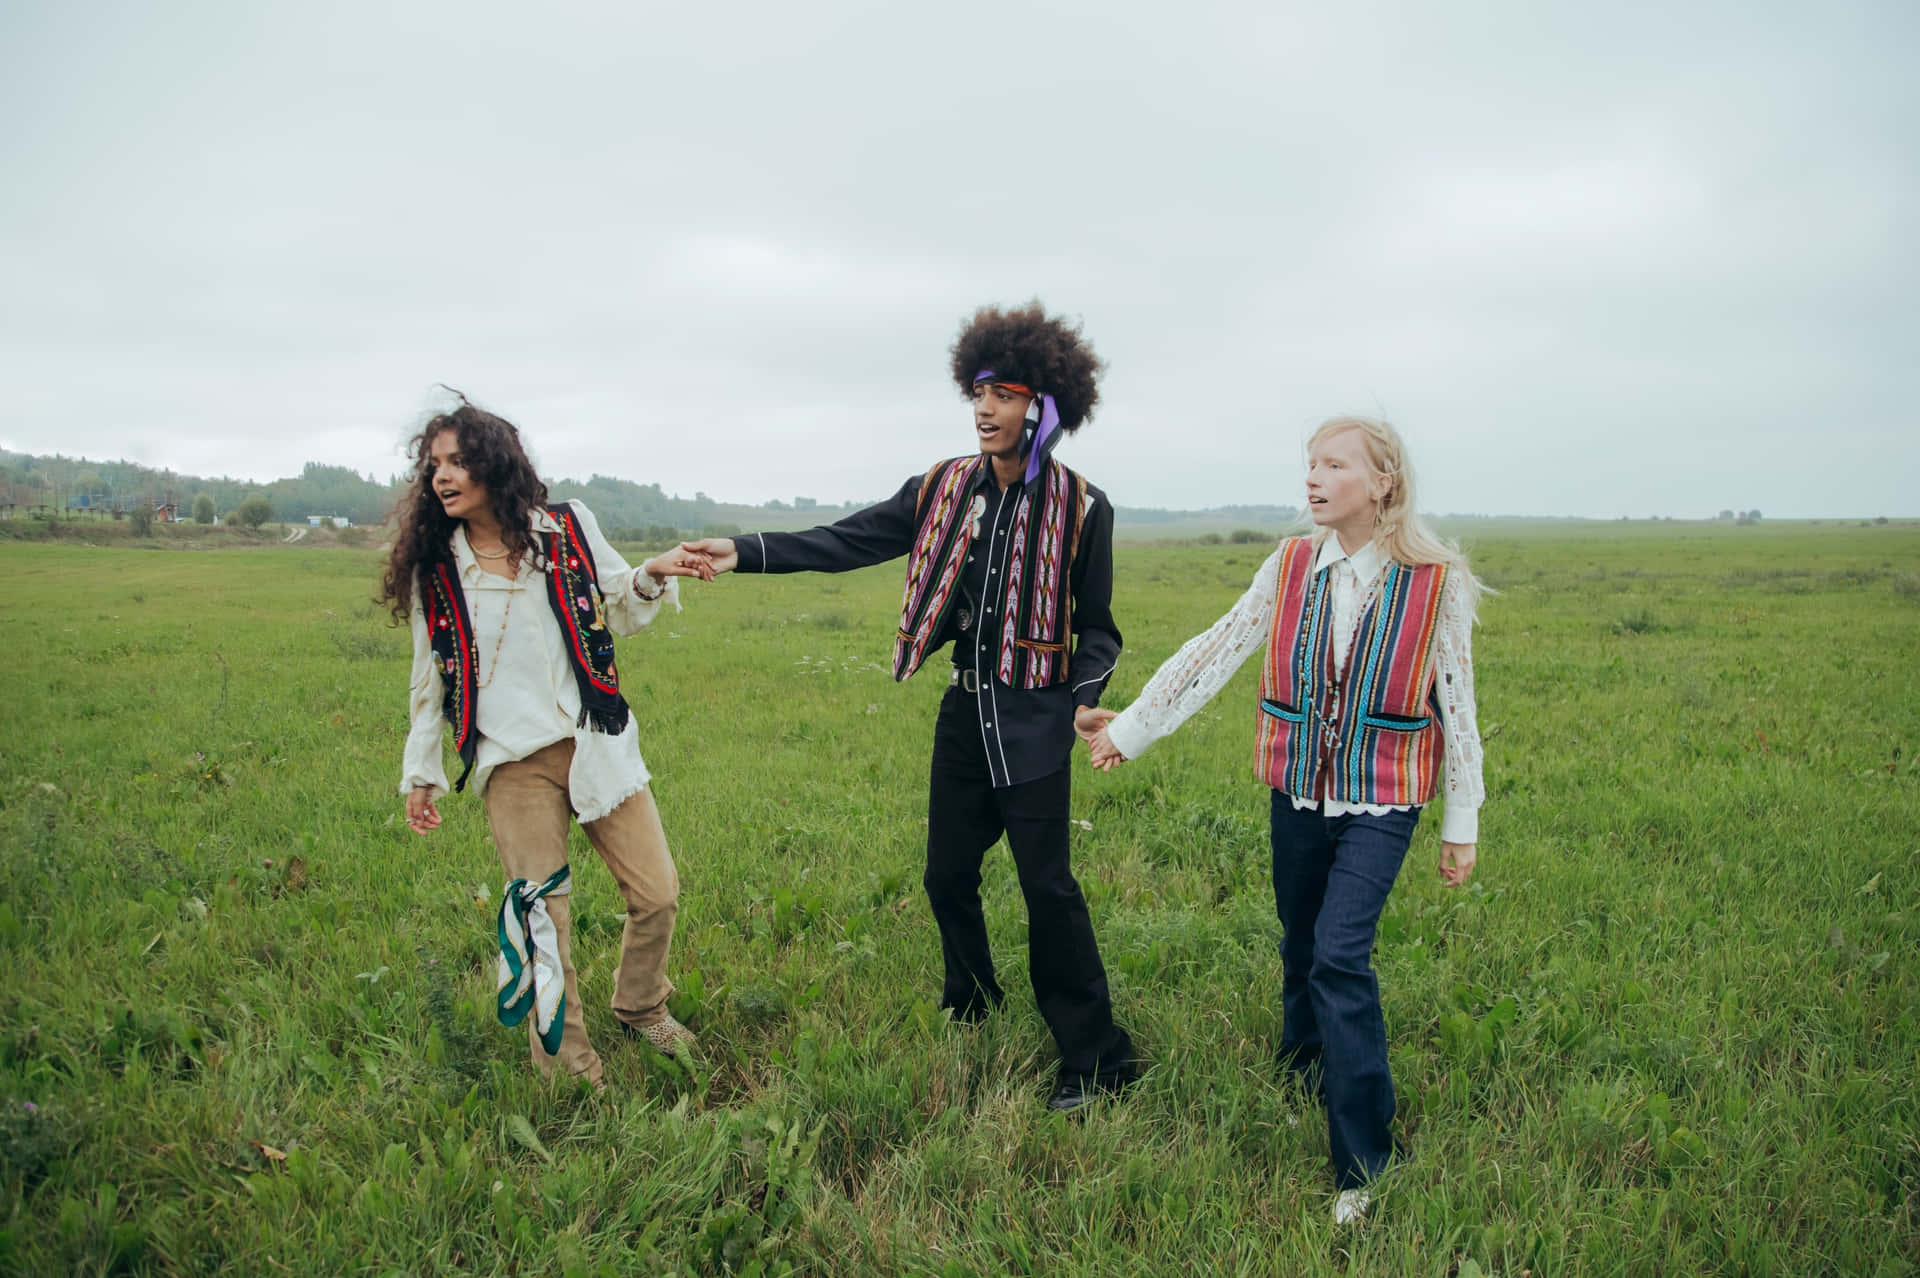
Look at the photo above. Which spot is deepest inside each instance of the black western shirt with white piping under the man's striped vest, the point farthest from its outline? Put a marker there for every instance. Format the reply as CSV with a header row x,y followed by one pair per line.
x,y
1028,734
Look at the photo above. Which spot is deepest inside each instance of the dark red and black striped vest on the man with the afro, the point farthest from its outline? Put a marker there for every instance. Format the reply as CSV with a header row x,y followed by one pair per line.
x,y
1038,598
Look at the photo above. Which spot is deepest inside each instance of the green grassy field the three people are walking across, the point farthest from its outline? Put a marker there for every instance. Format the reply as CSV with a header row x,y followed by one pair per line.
x,y
1671,1028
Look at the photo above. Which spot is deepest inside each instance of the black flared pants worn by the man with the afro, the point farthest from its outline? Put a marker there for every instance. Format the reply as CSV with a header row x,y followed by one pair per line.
x,y
967,816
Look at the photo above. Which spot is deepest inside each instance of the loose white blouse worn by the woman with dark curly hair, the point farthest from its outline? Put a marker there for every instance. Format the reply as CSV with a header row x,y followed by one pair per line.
x,y
529,698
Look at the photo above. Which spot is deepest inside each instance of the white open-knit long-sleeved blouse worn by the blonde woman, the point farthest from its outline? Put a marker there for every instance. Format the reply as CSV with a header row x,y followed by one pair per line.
x,y
1209,661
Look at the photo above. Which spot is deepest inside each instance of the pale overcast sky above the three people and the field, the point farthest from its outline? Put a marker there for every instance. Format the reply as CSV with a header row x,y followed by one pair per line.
x,y
1593,258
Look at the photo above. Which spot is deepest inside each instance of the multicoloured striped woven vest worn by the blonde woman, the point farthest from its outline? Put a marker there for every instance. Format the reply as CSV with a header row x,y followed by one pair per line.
x,y
1372,732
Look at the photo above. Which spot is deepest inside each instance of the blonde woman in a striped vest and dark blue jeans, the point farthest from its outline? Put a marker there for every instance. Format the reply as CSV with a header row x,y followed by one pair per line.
x,y
1366,715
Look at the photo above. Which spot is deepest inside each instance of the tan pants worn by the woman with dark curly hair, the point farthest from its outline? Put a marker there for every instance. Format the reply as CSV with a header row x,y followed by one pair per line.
x,y
529,811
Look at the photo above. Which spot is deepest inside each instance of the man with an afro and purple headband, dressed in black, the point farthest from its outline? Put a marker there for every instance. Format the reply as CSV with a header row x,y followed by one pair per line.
x,y
1011,559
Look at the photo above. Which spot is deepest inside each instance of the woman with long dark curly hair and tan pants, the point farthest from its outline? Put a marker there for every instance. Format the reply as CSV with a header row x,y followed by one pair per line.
x,y
514,605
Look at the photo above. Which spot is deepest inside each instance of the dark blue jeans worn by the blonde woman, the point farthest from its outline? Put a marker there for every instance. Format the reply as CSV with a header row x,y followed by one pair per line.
x,y
1332,878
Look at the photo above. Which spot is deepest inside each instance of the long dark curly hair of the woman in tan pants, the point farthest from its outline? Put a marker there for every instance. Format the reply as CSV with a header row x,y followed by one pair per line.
x,y
492,454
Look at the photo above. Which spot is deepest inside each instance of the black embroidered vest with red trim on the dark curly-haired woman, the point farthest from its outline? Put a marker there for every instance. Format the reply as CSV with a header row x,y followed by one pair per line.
x,y
573,594
